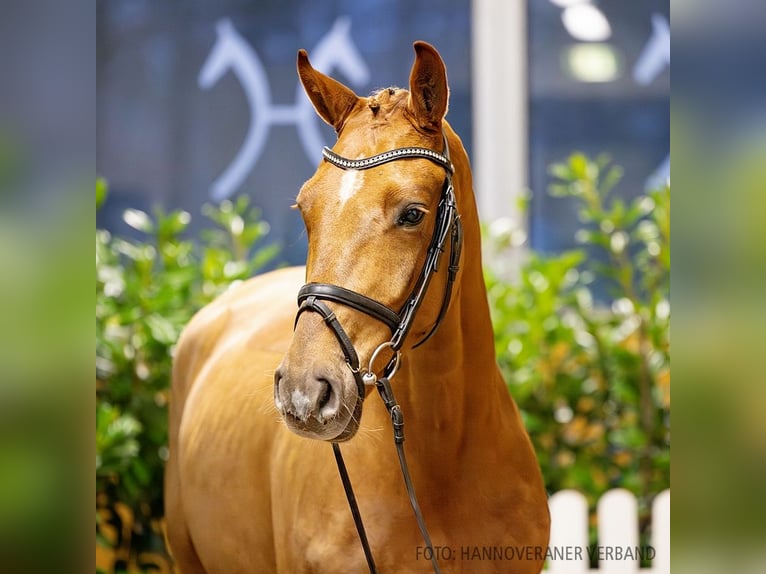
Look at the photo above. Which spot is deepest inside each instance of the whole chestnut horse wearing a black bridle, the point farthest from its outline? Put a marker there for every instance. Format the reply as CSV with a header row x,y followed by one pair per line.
x,y
261,386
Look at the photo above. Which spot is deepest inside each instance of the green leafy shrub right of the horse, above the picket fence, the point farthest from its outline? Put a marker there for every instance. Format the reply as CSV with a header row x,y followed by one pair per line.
x,y
592,380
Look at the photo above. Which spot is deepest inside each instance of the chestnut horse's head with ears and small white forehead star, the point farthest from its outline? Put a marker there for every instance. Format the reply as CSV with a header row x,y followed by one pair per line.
x,y
369,233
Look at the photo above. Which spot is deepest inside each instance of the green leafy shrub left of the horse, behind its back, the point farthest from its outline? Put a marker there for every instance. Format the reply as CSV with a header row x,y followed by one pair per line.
x,y
146,291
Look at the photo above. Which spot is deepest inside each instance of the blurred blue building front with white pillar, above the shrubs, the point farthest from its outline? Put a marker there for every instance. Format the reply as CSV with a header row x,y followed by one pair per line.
x,y
190,97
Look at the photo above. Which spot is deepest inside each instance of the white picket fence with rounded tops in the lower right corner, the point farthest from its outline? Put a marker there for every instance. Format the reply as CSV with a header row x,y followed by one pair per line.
x,y
618,547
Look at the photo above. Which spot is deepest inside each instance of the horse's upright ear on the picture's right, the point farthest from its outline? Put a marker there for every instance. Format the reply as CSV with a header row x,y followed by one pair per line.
x,y
429,93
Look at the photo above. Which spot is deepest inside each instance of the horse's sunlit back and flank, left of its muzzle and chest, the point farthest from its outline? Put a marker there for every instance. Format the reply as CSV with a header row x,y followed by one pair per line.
x,y
221,424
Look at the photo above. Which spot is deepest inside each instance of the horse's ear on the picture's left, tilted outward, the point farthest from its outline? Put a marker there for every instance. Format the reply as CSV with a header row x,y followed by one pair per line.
x,y
332,100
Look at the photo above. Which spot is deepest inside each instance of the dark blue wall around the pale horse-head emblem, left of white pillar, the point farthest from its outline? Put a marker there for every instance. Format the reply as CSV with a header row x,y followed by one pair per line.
x,y
162,139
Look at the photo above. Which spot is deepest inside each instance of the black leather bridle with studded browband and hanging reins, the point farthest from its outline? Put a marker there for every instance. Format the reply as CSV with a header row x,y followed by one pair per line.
x,y
312,297
